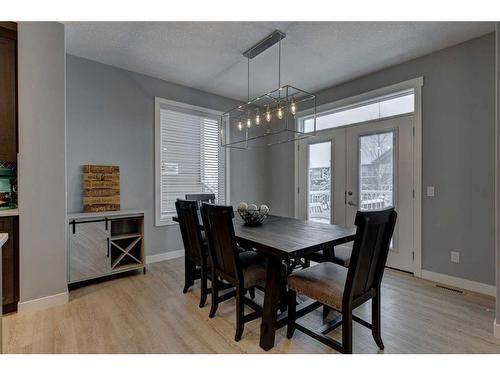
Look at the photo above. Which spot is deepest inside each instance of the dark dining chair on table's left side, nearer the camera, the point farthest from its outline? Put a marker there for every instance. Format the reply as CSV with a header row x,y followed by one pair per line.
x,y
242,269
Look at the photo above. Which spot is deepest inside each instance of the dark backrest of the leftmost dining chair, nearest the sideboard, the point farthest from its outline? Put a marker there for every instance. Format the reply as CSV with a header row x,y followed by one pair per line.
x,y
189,224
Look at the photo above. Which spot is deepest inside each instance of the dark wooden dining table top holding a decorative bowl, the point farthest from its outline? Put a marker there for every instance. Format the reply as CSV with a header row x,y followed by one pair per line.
x,y
289,238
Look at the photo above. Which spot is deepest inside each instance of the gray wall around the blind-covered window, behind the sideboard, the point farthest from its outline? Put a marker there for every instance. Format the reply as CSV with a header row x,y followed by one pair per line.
x,y
110,120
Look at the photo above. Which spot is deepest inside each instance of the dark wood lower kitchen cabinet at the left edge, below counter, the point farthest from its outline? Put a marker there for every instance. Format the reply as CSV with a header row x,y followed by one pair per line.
x,y
10,264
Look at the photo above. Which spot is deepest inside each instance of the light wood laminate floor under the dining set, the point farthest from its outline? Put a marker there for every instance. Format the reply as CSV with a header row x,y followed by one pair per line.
x,y
149,314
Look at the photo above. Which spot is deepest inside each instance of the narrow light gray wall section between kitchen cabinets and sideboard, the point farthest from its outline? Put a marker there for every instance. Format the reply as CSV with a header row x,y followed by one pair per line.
x,y
42,142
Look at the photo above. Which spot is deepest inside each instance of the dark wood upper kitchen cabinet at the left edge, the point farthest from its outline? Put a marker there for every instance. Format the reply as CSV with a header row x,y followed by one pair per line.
x,y
8,92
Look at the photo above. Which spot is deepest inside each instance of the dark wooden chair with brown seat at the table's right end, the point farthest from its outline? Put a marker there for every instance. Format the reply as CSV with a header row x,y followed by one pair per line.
x,y
344,289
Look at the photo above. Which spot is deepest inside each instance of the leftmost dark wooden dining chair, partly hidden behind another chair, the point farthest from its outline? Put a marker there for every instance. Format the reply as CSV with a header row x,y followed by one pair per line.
x,y
195,247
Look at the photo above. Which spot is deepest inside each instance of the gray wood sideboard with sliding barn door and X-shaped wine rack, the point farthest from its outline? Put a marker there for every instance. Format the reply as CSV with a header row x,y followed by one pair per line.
x,y
104,243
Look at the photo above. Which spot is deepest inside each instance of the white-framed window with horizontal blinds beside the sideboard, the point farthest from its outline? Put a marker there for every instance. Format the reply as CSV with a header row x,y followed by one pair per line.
x,y
189,158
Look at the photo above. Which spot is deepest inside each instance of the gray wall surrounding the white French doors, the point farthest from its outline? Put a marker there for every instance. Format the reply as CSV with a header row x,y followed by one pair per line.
x,y
458,155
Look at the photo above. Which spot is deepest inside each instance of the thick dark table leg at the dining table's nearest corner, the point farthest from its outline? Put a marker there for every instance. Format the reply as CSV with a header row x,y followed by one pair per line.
x,y
271,298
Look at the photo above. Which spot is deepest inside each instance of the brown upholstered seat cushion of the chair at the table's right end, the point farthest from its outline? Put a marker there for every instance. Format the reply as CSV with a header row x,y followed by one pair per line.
x,y
323,282
